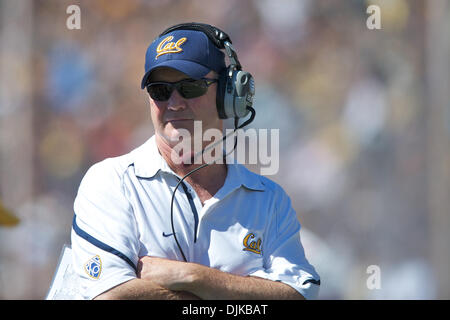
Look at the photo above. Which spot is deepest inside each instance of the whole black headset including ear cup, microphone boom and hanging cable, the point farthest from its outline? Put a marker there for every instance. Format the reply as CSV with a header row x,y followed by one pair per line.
x,y
234,98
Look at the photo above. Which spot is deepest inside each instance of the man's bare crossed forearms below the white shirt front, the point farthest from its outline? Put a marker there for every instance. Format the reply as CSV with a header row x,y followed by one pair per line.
x,y
160,278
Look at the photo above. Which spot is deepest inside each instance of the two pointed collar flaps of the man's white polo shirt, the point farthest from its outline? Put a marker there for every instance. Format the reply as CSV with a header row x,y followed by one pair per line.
x,y
148,162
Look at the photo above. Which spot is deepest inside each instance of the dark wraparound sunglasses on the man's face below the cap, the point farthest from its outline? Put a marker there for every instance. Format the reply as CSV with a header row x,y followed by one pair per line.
x,y
187,88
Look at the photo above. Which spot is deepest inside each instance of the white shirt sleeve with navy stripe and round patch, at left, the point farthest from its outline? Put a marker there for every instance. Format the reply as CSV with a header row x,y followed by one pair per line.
x,y
104,235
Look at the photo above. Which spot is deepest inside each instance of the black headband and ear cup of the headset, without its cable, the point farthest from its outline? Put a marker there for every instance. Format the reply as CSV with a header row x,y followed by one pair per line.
x,y
236,88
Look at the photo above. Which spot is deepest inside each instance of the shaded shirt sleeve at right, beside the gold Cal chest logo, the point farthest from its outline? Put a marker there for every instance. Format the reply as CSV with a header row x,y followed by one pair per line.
x,y
283,253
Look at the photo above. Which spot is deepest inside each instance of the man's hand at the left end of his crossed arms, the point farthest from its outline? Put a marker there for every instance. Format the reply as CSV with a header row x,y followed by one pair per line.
x,y
170,274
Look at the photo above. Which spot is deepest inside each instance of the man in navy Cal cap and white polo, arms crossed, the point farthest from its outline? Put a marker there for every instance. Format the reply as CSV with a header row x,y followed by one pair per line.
x,y
233,234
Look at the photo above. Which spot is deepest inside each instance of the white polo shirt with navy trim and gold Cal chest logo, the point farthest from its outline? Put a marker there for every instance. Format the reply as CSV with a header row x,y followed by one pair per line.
x,y
122,212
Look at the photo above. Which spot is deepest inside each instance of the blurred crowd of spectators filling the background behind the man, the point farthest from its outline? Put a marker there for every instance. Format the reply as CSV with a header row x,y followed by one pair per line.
x,y
364,119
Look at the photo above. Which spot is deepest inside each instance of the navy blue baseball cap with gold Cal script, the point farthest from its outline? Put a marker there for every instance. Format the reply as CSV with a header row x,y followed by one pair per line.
x,y
188,51
